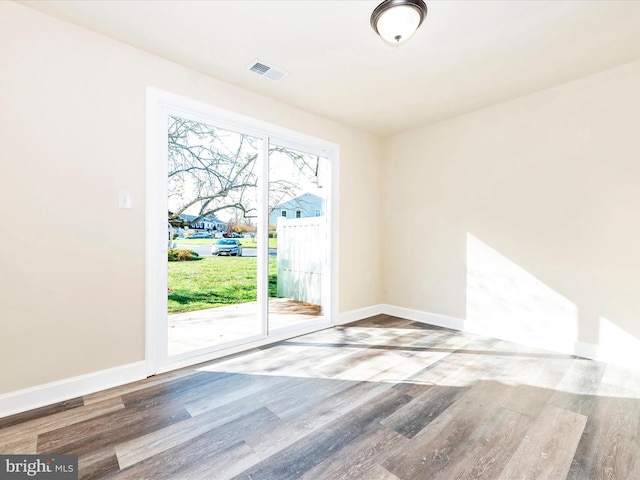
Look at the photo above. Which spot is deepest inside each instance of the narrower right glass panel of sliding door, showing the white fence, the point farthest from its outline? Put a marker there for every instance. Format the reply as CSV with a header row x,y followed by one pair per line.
x,y
298,238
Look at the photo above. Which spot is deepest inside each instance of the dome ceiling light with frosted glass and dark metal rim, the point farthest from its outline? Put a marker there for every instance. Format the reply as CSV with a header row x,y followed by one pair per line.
x,y
397,20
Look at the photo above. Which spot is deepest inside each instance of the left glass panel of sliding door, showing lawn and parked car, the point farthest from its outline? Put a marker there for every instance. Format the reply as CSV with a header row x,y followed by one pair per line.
x,y
212,269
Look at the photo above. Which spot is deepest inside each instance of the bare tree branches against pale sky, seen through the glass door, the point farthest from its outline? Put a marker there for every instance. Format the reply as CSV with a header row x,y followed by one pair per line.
x,y
213,169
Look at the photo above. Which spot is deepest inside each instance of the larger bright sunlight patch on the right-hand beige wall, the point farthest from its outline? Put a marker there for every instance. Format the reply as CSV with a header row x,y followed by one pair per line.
x,y
505,301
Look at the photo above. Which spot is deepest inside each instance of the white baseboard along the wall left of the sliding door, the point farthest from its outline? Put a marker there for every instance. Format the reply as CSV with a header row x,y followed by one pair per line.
x,y
54,392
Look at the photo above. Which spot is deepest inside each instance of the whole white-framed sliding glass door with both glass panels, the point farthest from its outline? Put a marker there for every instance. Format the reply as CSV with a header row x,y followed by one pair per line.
x,y
245,242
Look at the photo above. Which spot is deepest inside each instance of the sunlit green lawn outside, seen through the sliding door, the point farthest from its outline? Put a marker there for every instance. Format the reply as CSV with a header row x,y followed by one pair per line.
x,y
215,281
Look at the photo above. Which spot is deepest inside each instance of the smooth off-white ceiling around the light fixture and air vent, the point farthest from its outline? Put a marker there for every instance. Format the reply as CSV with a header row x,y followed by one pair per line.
x,y
467,55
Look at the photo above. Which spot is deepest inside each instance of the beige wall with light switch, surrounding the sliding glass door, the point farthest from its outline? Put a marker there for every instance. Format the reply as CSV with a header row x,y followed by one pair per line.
x,y
72,133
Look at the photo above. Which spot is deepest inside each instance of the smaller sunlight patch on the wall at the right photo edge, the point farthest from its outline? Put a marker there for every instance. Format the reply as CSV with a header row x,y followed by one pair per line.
x,y
618,346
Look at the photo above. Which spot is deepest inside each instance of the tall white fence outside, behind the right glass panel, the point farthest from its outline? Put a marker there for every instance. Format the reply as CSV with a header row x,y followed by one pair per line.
x,y
302,243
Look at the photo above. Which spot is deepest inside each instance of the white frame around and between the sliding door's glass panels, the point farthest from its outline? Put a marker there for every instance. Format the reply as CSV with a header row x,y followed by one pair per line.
x,y
160,105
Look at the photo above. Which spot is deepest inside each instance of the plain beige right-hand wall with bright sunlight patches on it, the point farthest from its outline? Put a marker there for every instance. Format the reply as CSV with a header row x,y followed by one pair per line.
x,y
543,191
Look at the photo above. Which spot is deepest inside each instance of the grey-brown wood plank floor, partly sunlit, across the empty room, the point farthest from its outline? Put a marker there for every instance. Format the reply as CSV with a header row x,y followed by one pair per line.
x,y
383,398
